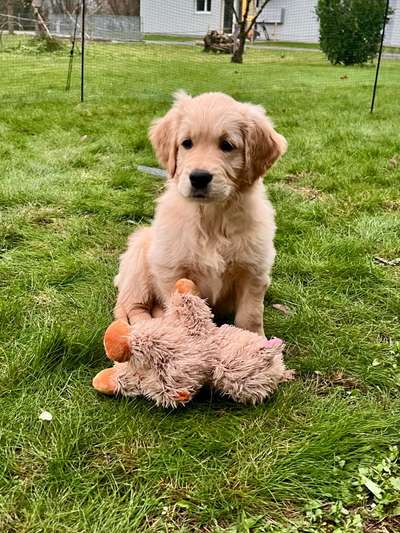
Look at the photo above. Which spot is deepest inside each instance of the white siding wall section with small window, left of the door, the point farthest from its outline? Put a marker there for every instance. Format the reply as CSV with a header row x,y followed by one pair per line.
x,y
179,17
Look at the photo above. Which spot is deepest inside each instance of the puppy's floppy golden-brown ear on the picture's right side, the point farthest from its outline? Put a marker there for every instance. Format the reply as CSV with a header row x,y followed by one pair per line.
x,y
263,144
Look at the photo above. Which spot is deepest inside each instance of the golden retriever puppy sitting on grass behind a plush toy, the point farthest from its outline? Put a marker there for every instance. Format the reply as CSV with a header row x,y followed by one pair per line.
x,y
213,224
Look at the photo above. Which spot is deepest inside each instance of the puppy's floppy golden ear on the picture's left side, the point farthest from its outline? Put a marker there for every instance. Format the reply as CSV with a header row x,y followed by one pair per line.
x,y
163,134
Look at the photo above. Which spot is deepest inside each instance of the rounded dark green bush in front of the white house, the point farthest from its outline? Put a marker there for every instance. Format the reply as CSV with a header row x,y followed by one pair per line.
x,y
350,30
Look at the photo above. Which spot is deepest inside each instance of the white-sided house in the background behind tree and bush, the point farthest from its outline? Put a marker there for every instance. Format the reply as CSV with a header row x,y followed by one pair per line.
x,y
281,20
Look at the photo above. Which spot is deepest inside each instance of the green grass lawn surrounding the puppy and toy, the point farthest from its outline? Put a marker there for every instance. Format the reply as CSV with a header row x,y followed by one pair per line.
x,y
322,452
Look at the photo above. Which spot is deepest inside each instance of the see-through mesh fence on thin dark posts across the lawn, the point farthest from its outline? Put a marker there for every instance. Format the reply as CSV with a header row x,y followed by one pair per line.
x,y
154,46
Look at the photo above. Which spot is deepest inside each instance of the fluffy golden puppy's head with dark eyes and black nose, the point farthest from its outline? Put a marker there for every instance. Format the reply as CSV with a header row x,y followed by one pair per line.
x,y
214,146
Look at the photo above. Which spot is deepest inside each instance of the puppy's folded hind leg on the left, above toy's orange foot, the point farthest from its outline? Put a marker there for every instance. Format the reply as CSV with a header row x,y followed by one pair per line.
x,y
135,291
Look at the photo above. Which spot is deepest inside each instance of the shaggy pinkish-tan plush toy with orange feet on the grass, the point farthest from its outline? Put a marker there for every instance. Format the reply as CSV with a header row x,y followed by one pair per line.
x,y
168,359
